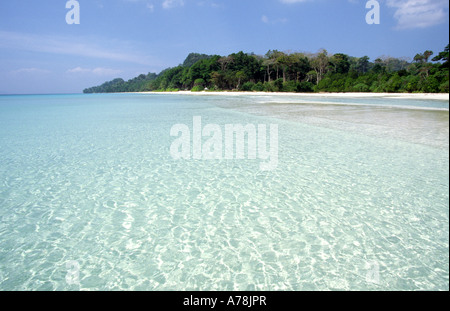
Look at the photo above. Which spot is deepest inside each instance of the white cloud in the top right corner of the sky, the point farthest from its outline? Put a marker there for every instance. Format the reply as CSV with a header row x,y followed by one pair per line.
x,y
412,14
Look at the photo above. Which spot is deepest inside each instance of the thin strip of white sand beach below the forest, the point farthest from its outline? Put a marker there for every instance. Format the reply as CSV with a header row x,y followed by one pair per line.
x,y
432,96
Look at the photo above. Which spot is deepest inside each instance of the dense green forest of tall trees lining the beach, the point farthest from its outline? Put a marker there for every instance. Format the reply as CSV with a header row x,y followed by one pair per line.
x,y
295,72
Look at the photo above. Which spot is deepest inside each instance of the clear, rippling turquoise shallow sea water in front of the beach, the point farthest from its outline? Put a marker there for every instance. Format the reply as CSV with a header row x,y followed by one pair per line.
x,y
91,199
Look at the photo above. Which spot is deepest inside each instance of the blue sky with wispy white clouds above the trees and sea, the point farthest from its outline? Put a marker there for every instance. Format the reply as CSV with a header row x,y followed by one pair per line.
x,y
40,53
